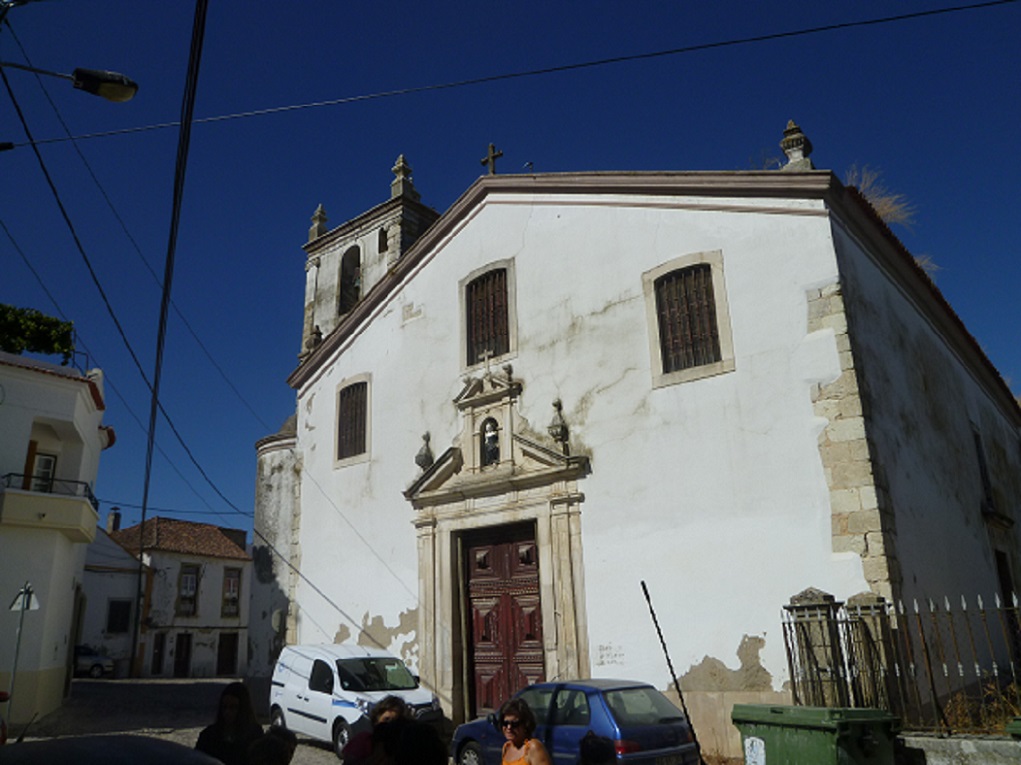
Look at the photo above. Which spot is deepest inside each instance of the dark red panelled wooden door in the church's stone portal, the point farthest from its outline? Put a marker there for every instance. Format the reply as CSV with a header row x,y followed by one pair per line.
x,y
505,652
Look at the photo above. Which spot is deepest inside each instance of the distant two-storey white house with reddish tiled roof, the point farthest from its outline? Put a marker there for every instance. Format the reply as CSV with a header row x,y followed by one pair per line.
x,y
196,612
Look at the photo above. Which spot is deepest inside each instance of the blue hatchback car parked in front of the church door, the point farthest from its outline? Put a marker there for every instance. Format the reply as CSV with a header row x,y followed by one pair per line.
x,y
646,728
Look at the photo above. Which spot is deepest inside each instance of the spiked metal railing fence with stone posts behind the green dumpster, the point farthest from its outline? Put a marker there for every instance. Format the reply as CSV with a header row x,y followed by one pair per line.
x,y
940,665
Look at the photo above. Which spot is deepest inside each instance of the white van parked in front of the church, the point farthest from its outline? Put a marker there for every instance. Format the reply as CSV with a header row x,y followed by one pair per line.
x,y
328,692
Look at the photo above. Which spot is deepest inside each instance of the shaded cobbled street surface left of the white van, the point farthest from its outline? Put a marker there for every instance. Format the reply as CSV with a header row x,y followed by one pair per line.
x,y
174,710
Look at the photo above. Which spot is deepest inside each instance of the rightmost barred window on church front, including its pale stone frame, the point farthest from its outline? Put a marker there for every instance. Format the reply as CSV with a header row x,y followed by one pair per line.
x,y
689,319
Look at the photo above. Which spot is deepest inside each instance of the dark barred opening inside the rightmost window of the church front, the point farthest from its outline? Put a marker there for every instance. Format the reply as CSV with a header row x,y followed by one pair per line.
x,y
686,309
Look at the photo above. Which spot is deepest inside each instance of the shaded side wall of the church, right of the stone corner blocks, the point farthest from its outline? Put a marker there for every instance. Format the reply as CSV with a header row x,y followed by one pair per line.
x,y
921,403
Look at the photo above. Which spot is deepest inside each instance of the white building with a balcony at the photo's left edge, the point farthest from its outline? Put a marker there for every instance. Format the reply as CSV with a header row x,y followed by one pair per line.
x,y
52,436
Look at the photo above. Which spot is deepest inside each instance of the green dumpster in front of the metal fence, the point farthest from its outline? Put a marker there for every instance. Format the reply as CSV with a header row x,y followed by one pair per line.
x,y
815,736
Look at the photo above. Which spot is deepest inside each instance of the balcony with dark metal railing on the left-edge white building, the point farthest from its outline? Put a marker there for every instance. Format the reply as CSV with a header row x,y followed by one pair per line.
x,y
68,507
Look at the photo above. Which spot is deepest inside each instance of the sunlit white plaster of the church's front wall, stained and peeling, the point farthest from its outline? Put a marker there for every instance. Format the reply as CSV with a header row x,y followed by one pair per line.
x,y
711,491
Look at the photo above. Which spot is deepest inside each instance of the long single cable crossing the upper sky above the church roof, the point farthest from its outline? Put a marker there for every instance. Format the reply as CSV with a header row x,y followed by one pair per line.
x,y
547,70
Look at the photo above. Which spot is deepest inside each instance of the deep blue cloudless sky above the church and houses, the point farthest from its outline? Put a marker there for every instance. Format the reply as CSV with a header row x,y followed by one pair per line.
x,y
934,103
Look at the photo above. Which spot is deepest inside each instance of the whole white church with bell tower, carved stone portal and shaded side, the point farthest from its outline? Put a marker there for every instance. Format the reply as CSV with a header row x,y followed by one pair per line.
x,y
732,387
